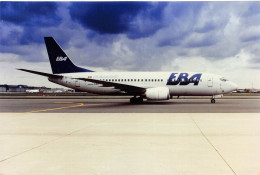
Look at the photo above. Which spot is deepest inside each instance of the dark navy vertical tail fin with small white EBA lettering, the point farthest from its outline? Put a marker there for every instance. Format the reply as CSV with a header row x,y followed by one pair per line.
x,y
60,62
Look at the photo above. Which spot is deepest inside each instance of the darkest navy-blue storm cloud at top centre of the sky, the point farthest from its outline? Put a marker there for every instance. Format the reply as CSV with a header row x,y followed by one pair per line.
x,y
106,17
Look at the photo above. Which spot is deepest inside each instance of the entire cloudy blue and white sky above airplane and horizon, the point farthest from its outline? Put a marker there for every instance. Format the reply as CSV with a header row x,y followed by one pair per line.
x,y
215,37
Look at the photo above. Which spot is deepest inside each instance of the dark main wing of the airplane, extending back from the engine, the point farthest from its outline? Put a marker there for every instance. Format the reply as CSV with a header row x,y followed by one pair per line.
x,y
123,87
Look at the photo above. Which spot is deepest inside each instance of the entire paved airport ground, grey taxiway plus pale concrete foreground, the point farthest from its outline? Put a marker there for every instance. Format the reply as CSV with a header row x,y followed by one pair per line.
x,y
110,136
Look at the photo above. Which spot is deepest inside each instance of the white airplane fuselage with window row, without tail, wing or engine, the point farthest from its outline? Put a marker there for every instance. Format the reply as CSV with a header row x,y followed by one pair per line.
x,y
206,85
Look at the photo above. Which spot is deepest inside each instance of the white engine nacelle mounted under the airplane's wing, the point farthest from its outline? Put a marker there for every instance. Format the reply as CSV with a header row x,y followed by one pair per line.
x,y
158,93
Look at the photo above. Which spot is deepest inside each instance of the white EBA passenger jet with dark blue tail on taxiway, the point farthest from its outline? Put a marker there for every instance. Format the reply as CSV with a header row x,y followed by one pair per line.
x,y
141,85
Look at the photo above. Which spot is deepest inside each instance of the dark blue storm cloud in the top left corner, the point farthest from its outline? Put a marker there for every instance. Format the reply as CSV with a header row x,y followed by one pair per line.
x,y
30,13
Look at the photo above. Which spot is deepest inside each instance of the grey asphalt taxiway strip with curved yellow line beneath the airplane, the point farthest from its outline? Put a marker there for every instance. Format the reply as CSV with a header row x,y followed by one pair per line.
x,y
95,105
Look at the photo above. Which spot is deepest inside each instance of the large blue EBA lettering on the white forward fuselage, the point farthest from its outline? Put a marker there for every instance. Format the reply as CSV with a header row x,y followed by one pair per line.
x,y
183,79
